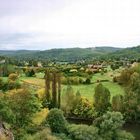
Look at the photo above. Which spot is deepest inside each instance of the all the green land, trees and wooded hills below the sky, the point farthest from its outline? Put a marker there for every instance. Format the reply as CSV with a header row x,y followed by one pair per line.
x,y
42,95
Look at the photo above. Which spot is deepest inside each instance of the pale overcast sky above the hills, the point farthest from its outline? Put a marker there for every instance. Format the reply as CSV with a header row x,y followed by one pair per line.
x,y
46,24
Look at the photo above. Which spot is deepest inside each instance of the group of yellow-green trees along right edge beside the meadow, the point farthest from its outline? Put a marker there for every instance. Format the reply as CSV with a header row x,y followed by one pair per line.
x,y
129,104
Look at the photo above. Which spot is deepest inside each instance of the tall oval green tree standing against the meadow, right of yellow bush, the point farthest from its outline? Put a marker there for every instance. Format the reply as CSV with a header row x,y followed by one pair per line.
x,y
101,99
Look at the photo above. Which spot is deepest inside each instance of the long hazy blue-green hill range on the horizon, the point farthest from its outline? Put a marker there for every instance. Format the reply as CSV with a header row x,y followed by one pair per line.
x,y
68,54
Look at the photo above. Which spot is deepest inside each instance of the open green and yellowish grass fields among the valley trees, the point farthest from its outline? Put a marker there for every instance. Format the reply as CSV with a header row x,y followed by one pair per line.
x,y
85,90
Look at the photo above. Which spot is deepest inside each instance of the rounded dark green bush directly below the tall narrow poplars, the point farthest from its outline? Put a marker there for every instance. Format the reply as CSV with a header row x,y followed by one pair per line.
x,y
56,121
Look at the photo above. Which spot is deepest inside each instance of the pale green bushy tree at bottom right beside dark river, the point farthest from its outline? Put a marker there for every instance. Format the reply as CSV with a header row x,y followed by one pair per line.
x,y
110,125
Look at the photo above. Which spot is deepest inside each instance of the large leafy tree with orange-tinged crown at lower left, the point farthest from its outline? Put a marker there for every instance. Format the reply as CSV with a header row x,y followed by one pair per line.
x,y
17,108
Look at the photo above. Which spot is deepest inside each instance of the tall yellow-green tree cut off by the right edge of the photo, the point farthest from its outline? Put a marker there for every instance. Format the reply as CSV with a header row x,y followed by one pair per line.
x,y
131,99
